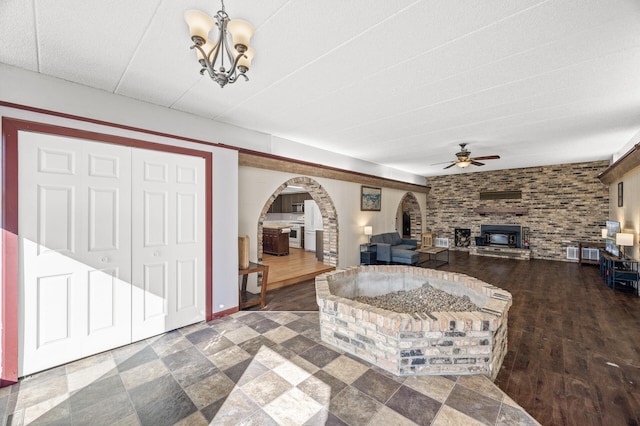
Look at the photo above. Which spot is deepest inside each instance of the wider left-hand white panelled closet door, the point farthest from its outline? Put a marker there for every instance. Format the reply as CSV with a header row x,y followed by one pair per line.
x,y
75,249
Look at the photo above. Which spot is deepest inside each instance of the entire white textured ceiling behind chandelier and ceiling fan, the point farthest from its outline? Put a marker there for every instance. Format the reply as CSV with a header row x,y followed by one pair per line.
x,y
399,83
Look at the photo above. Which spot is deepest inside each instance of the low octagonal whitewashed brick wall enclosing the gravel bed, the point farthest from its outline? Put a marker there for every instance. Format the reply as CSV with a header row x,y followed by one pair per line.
x,y
414,344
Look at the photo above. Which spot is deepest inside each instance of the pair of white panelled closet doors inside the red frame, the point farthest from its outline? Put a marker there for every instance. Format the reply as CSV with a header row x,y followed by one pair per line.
x,y
111,246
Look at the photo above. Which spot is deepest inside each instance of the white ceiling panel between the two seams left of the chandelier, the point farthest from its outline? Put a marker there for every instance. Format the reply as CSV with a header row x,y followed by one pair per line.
x,y
90,43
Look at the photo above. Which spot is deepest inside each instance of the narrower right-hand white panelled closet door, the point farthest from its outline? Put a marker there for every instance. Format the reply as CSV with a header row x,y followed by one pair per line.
x,y
168,242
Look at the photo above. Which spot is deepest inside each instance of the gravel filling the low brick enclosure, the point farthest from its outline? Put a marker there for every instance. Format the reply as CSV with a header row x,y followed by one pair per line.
x,y
425,299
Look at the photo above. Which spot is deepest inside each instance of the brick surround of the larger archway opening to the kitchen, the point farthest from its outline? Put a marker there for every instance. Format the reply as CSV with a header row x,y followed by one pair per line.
x,y
327,209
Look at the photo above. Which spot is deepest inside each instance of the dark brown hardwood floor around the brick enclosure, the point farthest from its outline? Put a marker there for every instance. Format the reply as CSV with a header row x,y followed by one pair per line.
x,y
574,344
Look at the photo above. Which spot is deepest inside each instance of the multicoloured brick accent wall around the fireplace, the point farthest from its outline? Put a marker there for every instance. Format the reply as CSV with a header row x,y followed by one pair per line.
x,y
565,204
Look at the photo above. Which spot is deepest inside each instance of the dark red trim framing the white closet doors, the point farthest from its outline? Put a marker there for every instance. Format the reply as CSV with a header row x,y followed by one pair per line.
x,y
10,258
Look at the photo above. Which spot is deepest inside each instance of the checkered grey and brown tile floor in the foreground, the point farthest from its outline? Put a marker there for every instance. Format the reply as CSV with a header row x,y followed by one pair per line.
x,y
250,368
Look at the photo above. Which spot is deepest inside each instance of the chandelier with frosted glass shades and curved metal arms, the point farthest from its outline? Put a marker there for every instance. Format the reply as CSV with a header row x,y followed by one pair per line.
x,y
228,57
